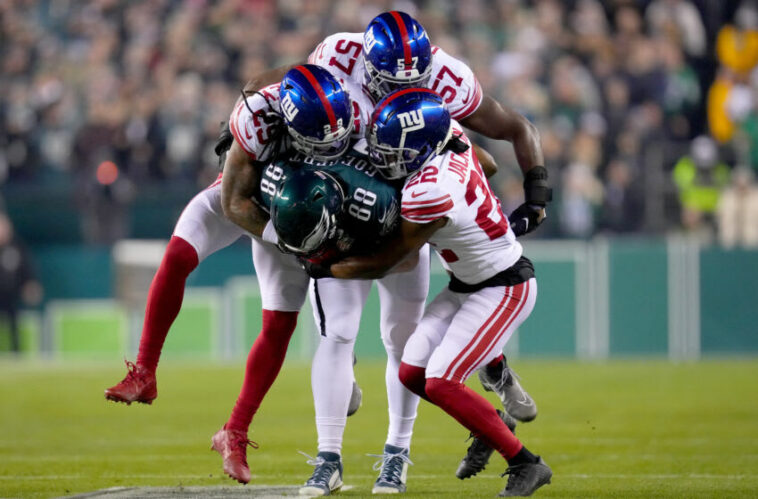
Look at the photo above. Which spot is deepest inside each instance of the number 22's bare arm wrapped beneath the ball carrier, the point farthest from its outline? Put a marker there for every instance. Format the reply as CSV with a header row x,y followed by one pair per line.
x,y
411,237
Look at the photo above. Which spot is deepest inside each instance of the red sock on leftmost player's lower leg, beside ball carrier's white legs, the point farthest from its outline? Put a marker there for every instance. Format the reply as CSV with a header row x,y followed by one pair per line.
x,y
263,364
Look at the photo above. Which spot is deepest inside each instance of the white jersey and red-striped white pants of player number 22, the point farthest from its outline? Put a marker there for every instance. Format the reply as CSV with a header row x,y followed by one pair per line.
x,y
461,332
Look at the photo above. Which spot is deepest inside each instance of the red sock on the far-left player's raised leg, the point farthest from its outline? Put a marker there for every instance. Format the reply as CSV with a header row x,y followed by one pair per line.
x,y
165,299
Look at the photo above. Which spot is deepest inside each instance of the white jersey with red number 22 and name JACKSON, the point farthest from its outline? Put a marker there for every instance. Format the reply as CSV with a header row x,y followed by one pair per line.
x,y
477,241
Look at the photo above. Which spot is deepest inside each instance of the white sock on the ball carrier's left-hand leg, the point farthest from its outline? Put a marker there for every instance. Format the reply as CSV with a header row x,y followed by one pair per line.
x,y
332,384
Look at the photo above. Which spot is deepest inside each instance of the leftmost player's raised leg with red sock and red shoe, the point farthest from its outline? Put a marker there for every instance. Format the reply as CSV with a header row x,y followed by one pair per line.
x,y
201,230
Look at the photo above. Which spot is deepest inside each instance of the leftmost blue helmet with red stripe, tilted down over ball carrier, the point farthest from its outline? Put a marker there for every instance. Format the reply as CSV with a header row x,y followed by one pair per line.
x,y
317,112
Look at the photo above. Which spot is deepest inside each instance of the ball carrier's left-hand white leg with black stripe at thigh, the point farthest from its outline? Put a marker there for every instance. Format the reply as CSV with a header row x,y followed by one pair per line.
x,y
337,306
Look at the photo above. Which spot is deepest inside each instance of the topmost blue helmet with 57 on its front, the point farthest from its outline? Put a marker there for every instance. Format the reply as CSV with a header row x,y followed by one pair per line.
x,y
396,52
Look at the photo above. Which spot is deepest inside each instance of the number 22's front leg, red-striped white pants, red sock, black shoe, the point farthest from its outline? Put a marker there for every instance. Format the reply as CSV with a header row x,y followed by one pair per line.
x,y
477,334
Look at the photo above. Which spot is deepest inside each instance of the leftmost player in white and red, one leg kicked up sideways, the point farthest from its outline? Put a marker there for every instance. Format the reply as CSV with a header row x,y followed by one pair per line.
x,y
259,135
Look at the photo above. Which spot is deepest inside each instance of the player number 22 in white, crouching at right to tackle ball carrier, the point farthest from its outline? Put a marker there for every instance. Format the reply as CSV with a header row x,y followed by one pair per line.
x,y
447,202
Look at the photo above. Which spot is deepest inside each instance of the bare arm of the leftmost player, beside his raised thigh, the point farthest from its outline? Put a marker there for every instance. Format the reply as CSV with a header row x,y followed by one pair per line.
x,y
238,186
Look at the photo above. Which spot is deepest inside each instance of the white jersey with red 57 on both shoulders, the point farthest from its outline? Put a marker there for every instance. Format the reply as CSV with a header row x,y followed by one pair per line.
x,y
342,55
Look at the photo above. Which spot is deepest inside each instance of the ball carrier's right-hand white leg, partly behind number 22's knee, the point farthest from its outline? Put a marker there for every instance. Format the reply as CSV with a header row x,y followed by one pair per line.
x,y
402,296
